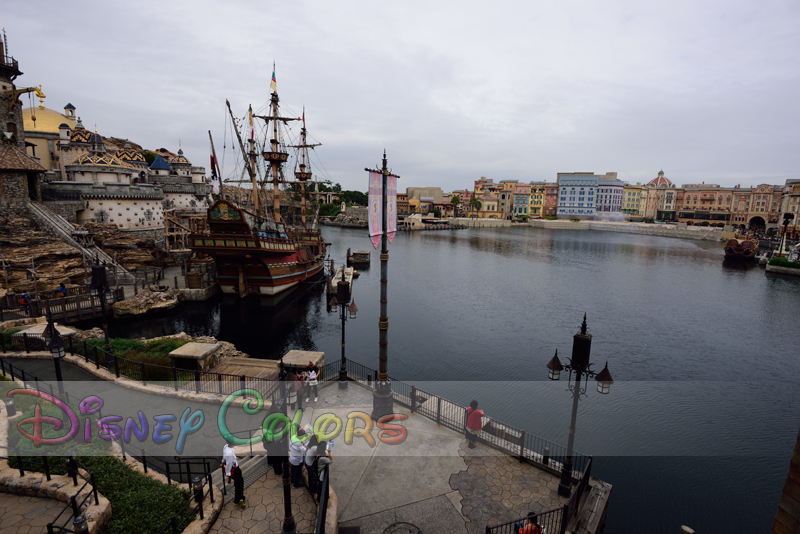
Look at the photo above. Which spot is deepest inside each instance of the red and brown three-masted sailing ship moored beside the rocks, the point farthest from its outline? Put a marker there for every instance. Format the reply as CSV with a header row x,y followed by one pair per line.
x,y
257,251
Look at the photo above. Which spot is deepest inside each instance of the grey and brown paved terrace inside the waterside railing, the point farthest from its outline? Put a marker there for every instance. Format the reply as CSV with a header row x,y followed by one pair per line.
x,y
431,481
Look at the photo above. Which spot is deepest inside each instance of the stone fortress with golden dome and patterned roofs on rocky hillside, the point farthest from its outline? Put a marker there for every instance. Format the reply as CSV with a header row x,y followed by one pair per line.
x,y
87,181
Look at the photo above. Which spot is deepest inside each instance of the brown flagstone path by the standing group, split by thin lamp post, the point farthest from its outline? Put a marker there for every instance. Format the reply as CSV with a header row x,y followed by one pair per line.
x,y
264,512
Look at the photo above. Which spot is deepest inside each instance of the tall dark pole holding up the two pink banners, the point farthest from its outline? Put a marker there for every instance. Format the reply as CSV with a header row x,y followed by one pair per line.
x,y
382,397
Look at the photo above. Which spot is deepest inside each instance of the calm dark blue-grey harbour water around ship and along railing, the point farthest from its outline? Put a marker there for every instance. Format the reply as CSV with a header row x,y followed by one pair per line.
x,y
704,413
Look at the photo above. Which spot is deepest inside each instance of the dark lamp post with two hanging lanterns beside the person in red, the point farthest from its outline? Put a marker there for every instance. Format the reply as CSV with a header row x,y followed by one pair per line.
x,y
579,364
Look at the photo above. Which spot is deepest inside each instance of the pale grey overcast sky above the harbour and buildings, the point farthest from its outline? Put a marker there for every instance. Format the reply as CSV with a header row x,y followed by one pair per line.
x,y
708,91
